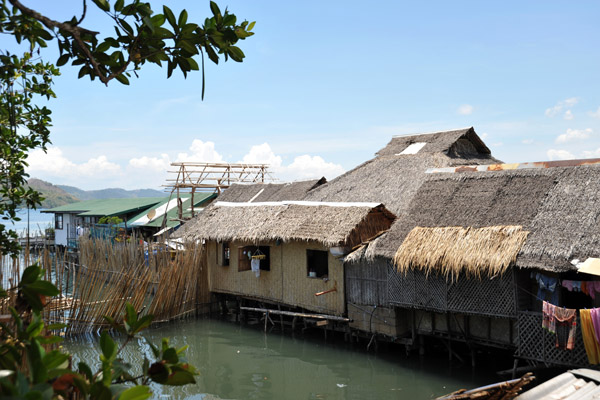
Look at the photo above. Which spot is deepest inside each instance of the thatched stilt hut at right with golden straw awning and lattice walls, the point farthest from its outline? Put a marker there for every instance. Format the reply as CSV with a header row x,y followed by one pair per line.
x,y
469,257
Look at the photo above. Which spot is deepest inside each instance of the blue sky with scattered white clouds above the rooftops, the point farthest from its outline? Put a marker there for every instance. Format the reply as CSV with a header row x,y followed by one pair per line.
x,y
325,84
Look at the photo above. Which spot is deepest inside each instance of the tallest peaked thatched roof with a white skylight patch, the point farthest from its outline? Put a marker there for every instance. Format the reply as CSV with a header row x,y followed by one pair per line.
x,y
393,179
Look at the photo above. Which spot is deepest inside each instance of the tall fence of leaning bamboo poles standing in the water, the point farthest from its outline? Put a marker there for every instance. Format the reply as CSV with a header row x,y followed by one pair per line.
x,y
155,280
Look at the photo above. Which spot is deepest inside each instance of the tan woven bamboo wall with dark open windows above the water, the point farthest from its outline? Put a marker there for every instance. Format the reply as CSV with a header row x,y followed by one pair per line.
x,y
287,281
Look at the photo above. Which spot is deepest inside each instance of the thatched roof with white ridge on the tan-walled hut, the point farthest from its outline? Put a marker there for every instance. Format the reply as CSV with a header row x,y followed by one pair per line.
x,y
333,224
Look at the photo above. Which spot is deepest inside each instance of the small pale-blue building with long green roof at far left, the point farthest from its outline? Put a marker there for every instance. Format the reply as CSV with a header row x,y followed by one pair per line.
x,y
87,213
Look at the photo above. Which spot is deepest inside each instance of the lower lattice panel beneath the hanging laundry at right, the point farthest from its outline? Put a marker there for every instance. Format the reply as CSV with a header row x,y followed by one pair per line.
x,y
537,344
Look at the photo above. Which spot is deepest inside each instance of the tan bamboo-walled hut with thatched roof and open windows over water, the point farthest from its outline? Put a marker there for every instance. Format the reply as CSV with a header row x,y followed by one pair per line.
x,y
285,253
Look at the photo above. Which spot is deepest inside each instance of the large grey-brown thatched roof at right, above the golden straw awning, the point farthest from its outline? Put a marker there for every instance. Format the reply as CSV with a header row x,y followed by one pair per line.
x,y
560,207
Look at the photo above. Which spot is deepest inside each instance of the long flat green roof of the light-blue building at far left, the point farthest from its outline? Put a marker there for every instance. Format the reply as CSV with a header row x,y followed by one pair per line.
x,y
107,207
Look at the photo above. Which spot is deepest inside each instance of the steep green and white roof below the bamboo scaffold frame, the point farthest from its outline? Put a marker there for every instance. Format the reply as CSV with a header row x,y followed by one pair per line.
x,y
200,200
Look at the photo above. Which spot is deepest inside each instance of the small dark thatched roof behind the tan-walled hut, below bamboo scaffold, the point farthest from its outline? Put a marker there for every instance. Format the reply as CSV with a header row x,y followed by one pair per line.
x,y
270,191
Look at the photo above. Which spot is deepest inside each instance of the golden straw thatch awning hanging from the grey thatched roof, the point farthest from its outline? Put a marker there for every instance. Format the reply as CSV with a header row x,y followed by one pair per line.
x,y
450,251
